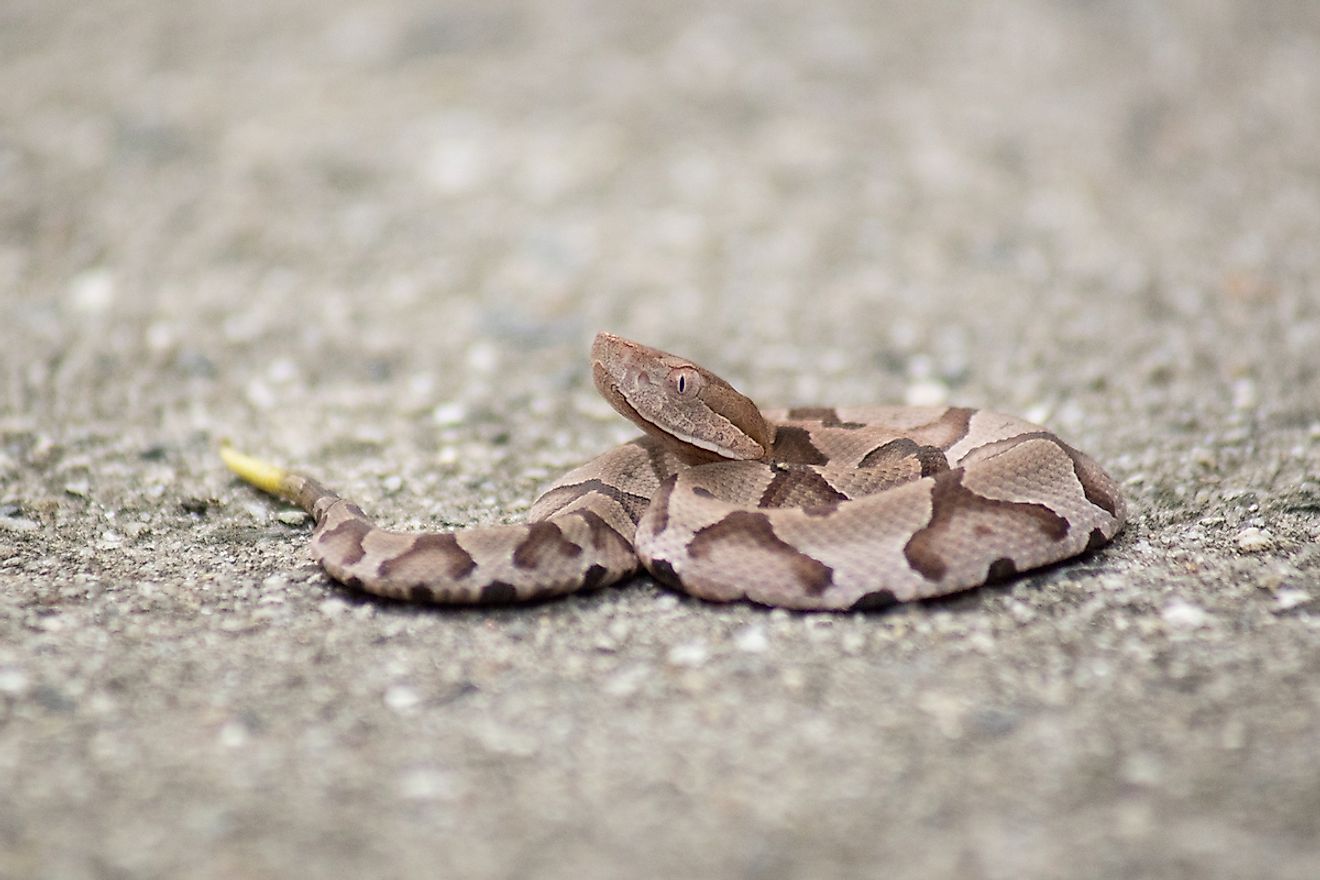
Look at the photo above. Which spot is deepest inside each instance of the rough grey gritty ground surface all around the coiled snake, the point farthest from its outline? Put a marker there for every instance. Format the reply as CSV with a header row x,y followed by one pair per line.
x,y
374,241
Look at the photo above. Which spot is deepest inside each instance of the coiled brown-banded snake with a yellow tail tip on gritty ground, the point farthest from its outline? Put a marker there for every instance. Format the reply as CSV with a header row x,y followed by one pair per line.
x,y
831,509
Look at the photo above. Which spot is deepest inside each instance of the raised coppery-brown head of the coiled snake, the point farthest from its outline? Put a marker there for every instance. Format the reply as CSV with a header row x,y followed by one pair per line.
x,y
695,412
